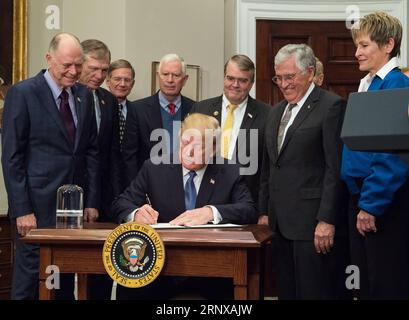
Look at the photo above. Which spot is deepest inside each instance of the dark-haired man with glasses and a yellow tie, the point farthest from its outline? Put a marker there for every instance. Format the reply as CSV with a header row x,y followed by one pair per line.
x,y
239,114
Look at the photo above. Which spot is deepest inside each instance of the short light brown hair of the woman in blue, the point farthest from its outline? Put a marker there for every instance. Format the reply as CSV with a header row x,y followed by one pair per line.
x,y
380,27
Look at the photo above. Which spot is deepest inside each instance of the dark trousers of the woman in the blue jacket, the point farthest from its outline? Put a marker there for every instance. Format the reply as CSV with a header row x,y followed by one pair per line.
x,y
382,257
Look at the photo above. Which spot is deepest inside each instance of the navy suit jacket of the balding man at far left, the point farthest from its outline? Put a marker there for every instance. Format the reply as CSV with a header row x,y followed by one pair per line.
x,y
38,157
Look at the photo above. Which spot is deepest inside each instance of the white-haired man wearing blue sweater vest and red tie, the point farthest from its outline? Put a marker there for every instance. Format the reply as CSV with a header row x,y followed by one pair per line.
x,y
164,110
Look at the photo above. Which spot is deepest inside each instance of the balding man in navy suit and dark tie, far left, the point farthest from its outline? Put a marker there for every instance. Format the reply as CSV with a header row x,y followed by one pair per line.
x,y
49,139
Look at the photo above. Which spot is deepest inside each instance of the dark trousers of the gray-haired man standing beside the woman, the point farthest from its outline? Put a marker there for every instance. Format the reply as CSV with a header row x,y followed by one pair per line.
x,y
302,273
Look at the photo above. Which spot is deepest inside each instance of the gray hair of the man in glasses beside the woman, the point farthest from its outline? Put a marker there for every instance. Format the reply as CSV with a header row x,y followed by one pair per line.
x,y
304,56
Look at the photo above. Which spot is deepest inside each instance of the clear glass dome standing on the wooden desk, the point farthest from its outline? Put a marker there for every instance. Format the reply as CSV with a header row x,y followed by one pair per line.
x,y
70,214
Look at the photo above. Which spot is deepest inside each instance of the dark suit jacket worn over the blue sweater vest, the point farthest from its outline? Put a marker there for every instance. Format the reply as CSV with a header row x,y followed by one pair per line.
x,y
142,118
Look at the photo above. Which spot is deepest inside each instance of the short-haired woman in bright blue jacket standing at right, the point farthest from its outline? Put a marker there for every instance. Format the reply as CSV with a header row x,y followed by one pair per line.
x,y
378,182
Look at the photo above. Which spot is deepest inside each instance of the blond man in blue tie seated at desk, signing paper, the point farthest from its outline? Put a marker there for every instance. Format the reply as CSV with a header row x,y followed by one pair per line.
x,y
194,190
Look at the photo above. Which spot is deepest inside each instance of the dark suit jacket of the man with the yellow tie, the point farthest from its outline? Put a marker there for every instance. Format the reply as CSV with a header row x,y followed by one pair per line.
x,y
254,118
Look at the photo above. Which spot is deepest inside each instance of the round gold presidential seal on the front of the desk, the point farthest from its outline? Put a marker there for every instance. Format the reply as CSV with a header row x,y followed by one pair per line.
x,y
133,255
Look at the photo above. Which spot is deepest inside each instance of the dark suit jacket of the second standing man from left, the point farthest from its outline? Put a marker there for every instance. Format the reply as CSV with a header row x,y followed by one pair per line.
x,y
110,160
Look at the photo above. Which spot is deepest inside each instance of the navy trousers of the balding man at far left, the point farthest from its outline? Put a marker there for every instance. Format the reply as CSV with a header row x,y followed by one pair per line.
x,y
25,275
